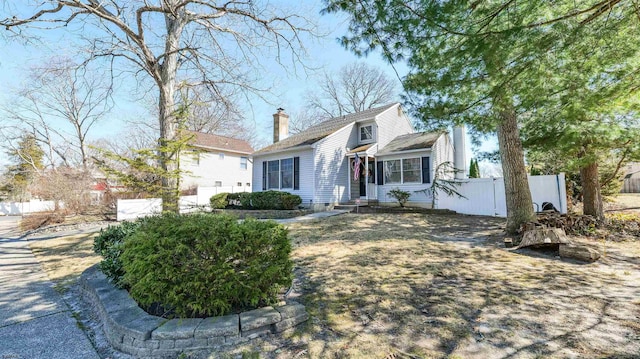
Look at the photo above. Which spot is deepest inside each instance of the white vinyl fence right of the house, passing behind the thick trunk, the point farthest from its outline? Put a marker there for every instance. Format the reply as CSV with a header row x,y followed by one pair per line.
x,y
486,197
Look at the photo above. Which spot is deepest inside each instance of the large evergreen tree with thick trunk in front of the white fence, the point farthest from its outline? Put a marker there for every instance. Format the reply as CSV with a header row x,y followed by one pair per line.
x,y
485,64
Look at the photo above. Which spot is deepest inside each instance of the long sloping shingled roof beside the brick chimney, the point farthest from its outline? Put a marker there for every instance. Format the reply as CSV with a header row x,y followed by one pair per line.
x,y
315,133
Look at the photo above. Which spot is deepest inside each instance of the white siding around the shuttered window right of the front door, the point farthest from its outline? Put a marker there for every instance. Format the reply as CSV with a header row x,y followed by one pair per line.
x,y
416,199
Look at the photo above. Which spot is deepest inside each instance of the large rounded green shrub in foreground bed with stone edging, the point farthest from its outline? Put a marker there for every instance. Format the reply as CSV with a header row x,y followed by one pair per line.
x,y
205,265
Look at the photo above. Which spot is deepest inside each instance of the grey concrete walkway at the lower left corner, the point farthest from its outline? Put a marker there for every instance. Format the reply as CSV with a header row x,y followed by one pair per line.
x,y
34,320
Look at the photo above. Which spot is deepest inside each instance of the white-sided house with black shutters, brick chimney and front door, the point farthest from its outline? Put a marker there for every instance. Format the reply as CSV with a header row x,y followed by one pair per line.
x,y
318,164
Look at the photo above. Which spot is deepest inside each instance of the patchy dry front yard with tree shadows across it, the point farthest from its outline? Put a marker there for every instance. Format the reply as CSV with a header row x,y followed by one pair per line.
x,y
437,286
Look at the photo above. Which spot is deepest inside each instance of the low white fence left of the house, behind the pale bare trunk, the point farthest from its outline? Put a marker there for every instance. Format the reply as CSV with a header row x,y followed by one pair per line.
x,y
128,209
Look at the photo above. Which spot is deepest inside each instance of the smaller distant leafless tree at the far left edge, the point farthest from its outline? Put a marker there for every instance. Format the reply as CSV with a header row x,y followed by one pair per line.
x,y
60,104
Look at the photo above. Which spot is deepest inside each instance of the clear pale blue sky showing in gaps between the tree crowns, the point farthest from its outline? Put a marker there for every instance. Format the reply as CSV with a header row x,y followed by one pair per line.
x,y
324,54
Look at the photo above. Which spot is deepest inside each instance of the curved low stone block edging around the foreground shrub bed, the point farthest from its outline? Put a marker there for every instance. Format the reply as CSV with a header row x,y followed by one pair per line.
x,y
130,329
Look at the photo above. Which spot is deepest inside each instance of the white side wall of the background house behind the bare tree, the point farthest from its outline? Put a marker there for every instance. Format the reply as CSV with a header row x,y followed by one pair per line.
x,y
211,169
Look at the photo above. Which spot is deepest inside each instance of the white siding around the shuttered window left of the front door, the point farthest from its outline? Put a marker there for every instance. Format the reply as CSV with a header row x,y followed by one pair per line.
x,y
306,172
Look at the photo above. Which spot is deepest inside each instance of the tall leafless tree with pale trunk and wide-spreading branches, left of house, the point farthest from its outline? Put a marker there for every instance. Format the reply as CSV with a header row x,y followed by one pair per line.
x,y
172,42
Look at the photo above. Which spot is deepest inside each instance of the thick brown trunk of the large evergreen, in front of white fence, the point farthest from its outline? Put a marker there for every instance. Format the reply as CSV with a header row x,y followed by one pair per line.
x,y
516,183
